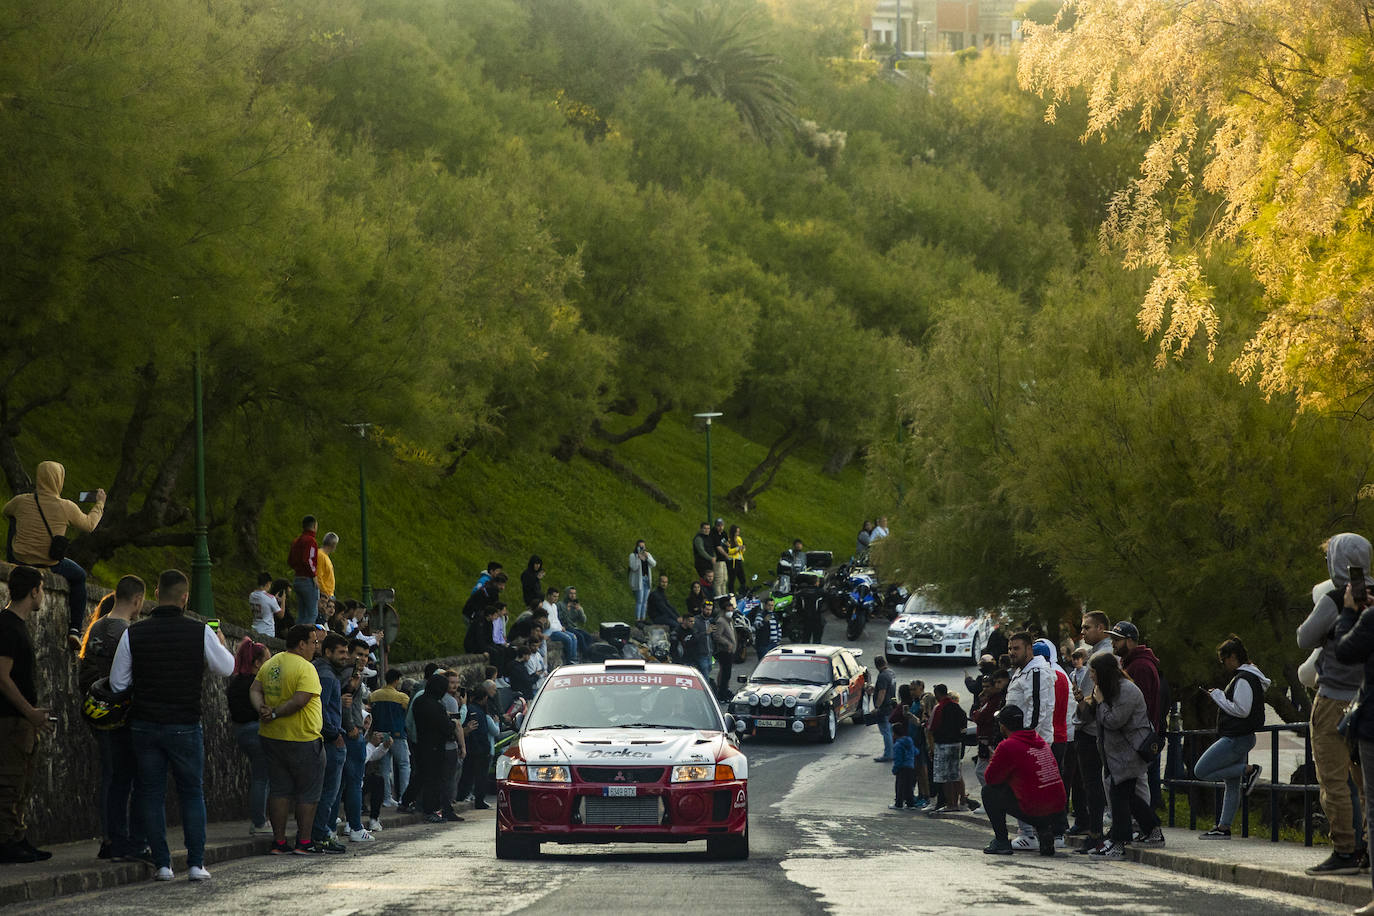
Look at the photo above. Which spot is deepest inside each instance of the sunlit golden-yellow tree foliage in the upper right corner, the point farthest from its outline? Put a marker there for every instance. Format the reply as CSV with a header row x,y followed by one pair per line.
x,y
1261,116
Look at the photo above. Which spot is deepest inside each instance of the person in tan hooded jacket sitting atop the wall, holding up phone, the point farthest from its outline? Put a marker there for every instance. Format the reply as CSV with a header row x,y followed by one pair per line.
x,y
43,516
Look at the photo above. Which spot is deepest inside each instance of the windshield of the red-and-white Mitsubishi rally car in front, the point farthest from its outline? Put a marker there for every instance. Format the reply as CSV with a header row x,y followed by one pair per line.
x,y
624,701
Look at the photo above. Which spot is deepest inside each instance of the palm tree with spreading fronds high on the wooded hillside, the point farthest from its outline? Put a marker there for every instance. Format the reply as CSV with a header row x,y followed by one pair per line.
x,y
718,54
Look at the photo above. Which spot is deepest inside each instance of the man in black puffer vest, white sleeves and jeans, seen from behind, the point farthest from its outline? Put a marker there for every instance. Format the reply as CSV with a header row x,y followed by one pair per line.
x,y
163,660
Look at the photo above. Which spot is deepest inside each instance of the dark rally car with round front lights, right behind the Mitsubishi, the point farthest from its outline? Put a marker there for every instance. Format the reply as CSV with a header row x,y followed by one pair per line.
x,y
802,690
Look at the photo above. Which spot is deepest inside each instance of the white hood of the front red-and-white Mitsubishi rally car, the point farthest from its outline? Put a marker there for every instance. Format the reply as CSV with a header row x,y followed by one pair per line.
x,y
633,746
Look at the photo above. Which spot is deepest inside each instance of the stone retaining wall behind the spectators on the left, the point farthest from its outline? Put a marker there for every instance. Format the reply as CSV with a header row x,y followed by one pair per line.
x,y
68,768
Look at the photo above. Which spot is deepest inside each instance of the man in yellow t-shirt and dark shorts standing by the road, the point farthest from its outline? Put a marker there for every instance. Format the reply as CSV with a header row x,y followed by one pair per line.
x,y
288,697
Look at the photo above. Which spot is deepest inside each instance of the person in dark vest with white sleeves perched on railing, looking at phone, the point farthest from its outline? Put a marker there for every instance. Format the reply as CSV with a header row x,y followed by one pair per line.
x,y
1240,713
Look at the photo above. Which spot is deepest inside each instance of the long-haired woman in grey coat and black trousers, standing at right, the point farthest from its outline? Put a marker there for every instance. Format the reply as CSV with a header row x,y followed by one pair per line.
x,y
1123,726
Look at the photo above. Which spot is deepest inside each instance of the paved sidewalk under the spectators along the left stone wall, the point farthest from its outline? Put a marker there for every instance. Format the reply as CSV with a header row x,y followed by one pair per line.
x,y
75,869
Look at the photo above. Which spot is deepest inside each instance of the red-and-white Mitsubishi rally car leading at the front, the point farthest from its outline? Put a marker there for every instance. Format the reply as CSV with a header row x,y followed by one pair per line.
x,y
623,752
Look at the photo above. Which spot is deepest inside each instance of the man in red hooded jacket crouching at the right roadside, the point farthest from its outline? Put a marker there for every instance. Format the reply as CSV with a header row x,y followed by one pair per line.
x,y
1023,782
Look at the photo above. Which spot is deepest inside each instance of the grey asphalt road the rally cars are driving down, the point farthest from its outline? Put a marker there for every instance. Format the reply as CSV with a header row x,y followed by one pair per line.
x,y
822,837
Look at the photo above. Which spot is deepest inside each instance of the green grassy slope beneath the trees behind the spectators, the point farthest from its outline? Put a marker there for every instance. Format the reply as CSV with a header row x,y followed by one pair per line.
x,y
431,538
